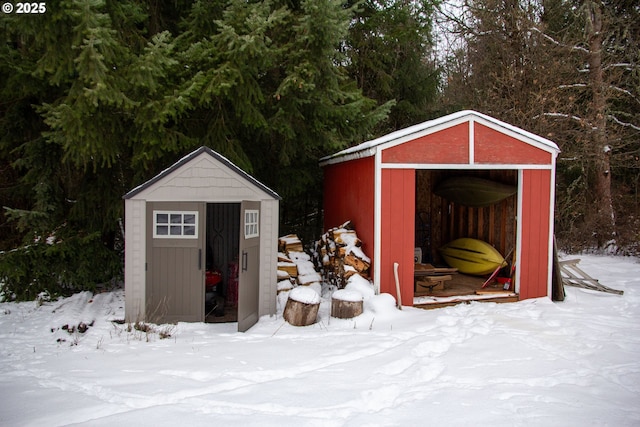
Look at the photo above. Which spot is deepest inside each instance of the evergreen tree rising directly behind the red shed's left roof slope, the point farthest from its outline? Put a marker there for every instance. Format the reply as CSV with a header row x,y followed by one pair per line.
x,y
391,55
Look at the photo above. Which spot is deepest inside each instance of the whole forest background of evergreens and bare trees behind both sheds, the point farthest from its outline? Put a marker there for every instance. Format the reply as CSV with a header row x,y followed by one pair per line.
x,y
98,96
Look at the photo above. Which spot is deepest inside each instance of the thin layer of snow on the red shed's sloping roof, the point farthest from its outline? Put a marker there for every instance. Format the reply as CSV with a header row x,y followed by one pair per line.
x,y
369,148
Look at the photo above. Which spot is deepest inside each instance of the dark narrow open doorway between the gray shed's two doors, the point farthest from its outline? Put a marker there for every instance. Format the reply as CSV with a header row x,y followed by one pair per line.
x,y
222,250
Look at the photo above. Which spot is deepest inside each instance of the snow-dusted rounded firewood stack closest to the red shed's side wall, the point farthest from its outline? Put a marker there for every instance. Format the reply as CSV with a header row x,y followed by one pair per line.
x,y
338,254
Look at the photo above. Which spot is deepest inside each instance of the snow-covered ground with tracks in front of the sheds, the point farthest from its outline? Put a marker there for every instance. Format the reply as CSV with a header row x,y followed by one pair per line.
x,y
533,363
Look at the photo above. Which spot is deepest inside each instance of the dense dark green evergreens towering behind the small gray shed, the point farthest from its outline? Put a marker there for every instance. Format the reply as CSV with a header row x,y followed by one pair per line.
x,y
99,96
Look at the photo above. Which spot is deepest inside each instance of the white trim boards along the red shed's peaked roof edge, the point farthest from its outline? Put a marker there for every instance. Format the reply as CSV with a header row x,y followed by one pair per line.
x,y
369,148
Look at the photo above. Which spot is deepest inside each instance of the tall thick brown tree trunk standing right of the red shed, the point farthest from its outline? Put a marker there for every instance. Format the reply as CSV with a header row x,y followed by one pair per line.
x,y
604,203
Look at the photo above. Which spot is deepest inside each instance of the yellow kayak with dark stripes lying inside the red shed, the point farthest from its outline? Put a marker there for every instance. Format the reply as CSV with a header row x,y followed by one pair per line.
x,y
472,256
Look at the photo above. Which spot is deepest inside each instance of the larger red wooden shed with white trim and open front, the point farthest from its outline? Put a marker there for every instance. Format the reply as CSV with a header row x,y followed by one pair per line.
x,y
386,187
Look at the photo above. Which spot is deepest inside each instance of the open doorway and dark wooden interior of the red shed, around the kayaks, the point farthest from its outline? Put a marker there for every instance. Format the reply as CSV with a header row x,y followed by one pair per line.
x,y
440,221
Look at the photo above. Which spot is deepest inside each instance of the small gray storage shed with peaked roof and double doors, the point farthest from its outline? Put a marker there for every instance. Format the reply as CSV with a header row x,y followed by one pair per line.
x,y
201,216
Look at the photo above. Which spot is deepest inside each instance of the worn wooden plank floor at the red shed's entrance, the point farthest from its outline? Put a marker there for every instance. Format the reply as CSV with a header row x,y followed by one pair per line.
x,y
462,288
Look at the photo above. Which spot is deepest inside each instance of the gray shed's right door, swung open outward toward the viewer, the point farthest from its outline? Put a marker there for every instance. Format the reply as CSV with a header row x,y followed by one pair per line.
x,y
248,287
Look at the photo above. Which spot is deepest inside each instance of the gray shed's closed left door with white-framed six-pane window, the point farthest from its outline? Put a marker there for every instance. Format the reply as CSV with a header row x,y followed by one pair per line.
x,y
175,256
